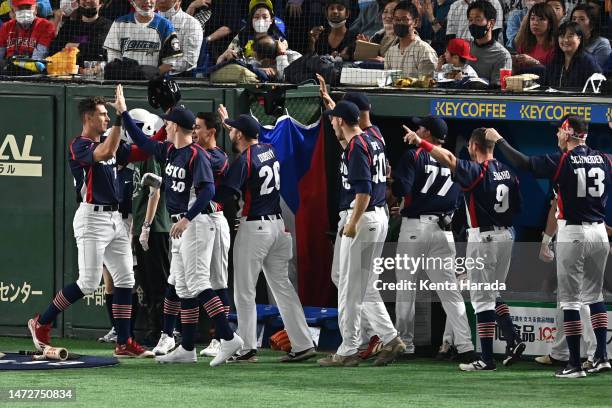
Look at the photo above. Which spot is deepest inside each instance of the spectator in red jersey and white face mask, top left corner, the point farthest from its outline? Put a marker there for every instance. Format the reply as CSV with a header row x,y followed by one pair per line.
x,y
25,35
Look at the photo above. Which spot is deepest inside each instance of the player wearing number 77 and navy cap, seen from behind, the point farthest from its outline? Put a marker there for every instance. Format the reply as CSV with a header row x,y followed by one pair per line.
x,y
430,199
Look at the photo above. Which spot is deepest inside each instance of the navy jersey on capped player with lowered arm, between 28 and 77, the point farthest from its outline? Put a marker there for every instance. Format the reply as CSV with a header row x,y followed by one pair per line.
x,y
365,161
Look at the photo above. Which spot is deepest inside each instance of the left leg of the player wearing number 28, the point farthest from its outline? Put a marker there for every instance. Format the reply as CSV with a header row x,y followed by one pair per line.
x,y
250,246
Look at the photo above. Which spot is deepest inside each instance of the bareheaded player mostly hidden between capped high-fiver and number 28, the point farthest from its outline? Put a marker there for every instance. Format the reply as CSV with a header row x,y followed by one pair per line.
x,y
205,132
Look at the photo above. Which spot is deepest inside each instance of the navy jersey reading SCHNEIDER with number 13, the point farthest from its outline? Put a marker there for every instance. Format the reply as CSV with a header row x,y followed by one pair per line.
x,y
581,180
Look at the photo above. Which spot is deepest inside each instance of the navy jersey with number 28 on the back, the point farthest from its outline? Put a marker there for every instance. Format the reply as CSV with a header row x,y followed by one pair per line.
x,y
255,177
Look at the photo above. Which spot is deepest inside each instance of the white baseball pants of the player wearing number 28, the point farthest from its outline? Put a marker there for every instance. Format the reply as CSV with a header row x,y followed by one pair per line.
x,y
264,245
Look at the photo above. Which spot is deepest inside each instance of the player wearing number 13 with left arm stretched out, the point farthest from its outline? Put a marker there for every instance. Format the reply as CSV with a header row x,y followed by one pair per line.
x,y
581,177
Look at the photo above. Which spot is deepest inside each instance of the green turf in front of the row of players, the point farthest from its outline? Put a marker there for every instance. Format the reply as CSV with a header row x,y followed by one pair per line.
x,y
418,383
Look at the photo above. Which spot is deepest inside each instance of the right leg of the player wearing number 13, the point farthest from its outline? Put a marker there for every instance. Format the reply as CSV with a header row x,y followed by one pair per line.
x,y
597,251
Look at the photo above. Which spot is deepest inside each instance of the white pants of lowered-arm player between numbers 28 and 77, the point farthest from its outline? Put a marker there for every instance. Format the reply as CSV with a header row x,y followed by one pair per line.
x,y
356,292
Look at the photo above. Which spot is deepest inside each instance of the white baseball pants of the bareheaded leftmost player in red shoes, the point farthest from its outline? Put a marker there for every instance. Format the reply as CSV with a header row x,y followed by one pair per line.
x,y
102,240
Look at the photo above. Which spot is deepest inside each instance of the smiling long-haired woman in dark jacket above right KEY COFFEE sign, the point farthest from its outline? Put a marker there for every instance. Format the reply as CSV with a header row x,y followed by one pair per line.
x,y
572,66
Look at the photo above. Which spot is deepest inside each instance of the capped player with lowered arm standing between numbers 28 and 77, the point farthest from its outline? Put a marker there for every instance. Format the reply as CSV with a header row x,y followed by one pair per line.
x,y
363,172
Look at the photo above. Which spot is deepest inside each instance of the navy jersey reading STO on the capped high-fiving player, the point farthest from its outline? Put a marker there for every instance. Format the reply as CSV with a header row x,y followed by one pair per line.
x,y
185,171
